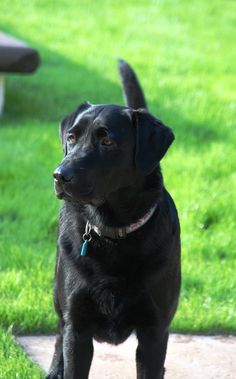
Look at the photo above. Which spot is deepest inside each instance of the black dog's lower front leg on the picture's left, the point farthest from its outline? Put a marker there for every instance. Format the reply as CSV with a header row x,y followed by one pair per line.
x,y
77,353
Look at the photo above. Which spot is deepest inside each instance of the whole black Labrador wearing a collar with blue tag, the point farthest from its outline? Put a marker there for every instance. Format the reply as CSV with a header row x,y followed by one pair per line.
x,y
118,262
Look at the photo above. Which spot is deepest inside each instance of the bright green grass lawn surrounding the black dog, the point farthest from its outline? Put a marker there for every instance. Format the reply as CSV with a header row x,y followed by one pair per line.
x,y
183,52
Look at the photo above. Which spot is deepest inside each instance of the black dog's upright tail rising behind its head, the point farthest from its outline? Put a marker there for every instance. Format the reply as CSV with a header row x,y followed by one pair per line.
x,y
133,93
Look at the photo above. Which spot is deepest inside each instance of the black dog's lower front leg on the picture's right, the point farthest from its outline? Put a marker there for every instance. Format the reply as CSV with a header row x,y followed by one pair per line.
x,y
150,354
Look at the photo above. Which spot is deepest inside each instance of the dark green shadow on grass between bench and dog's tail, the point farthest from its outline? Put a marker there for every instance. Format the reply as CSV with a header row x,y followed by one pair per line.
x,y
55,90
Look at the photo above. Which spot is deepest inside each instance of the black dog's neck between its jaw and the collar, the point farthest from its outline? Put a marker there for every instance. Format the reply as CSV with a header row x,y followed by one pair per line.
x,y
127,205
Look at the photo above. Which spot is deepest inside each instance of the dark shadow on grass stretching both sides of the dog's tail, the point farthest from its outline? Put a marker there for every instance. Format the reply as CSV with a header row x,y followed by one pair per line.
x,y
60,85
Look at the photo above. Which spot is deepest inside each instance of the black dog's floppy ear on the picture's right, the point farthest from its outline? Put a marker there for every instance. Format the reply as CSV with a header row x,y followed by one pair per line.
x,y
153,139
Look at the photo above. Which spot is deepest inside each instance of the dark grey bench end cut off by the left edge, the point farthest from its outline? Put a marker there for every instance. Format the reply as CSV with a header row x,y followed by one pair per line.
x,y
15,57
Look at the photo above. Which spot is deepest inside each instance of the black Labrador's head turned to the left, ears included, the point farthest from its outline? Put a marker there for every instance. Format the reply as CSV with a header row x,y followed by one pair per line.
x,y
106,148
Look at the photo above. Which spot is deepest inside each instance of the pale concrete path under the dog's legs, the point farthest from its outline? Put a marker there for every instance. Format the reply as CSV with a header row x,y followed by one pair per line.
x,y
188,357
